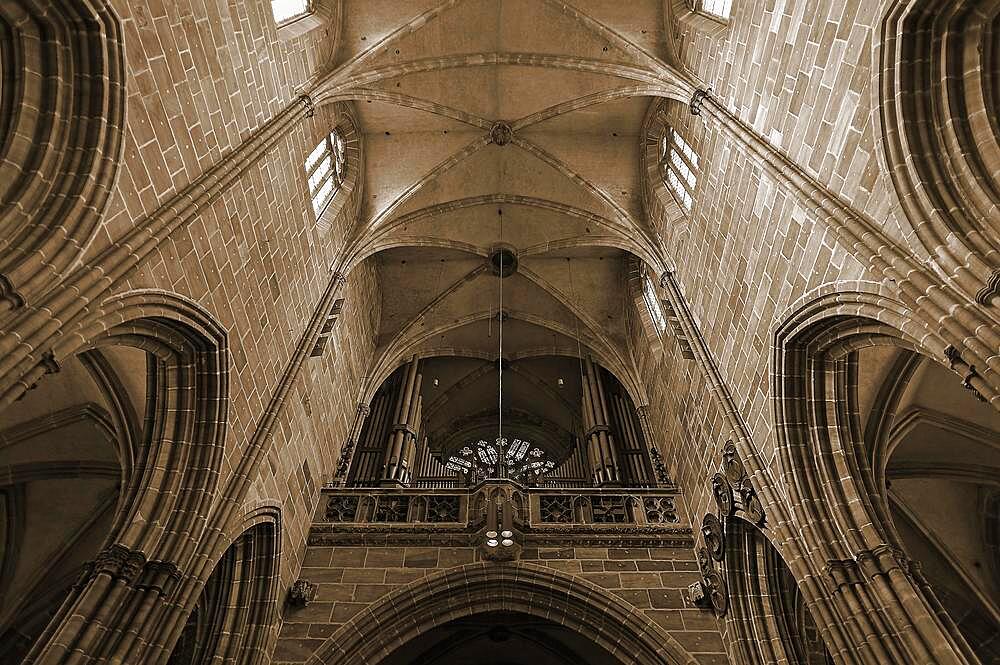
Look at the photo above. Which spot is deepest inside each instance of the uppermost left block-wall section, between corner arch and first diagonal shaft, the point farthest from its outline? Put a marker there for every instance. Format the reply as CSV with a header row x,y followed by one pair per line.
x,y
201,76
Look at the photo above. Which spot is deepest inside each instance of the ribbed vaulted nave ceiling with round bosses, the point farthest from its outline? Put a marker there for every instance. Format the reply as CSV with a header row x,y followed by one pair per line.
x,y
527,107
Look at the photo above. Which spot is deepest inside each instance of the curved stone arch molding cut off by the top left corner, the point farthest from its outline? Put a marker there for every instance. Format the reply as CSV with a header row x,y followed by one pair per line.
x,y
62,109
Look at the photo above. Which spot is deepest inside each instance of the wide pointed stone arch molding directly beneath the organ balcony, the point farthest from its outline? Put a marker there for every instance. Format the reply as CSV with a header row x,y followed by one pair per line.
x,y
484,587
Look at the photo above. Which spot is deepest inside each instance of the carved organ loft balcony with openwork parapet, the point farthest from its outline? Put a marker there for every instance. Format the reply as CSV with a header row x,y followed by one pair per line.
x,y
500,517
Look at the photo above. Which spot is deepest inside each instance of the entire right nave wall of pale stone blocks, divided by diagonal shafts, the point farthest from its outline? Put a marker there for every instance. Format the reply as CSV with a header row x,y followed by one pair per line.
x,y
750,249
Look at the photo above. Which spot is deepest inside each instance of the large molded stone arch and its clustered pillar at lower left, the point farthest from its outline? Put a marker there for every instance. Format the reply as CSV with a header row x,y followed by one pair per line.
x,y
166,502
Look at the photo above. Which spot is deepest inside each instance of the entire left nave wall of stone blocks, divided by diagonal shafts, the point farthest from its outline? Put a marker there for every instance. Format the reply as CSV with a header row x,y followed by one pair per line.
x,y
203,77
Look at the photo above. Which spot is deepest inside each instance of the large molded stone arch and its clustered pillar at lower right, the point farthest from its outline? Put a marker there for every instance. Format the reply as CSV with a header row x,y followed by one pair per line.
x,y
831,488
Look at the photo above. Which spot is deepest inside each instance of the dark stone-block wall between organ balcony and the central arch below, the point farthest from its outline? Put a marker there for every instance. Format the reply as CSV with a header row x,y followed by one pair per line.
x,y
350,578
